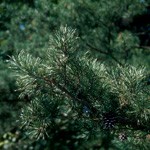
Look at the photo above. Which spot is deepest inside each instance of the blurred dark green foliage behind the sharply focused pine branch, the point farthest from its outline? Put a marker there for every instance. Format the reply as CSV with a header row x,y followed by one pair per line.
x,y
115,31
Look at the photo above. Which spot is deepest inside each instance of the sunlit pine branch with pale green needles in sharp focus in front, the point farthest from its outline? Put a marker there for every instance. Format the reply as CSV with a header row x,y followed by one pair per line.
x,y
76,102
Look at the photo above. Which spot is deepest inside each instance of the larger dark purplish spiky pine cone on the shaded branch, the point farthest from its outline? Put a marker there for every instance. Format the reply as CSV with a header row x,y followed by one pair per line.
x,y
109,120
